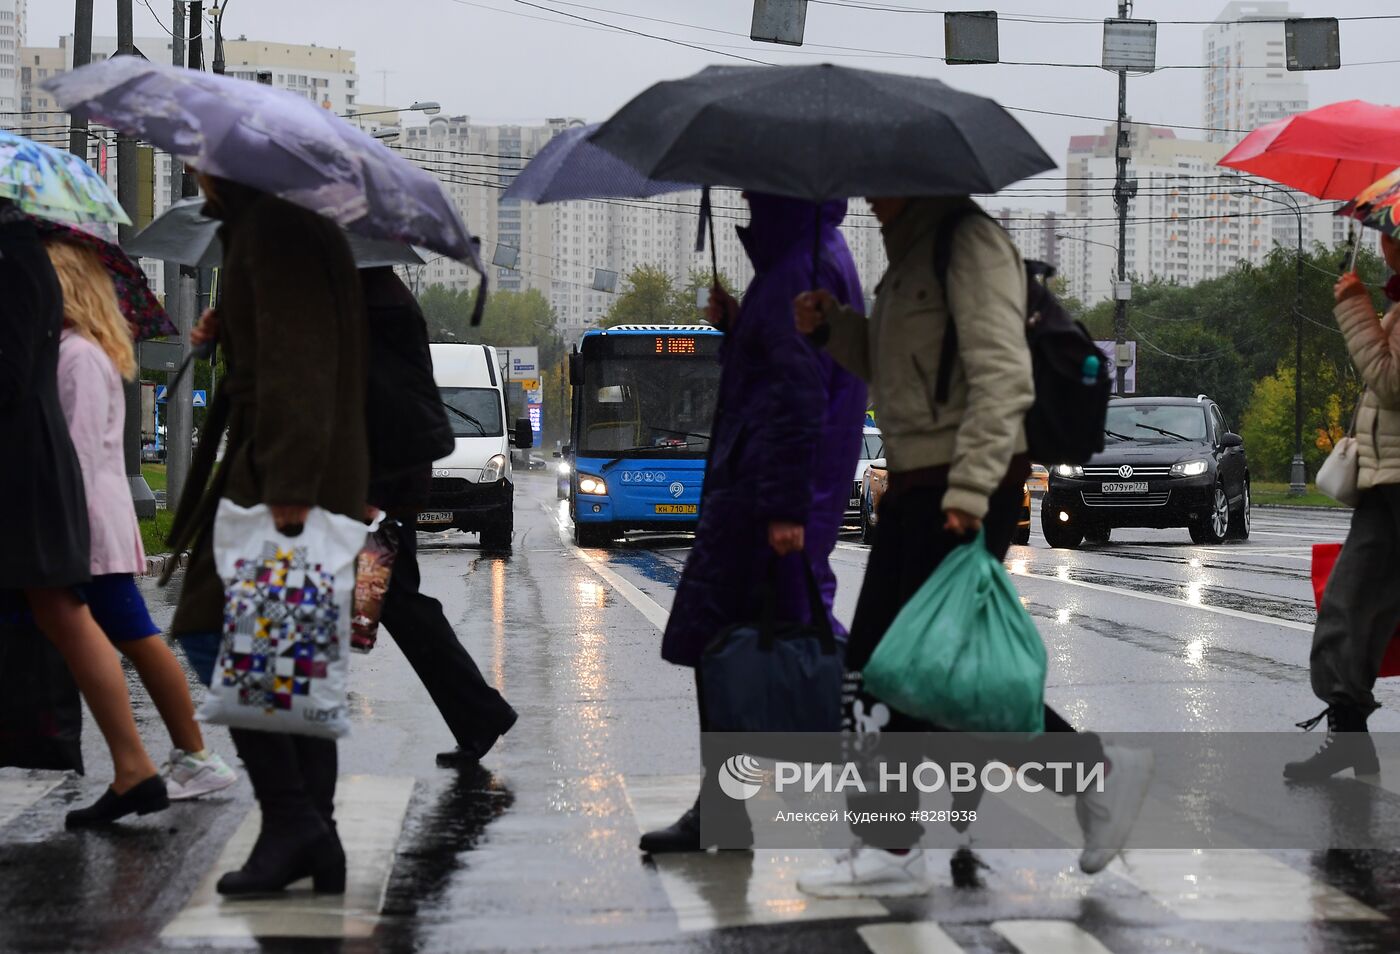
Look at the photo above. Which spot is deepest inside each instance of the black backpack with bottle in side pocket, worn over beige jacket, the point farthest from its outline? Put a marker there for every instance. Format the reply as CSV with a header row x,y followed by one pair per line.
x,y
1066,422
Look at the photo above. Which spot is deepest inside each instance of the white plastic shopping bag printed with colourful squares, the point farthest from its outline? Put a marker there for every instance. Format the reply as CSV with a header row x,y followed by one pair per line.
x,y
288,602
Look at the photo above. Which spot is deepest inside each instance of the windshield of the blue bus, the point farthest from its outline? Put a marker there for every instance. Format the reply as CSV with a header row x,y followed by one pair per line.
x,y
643,406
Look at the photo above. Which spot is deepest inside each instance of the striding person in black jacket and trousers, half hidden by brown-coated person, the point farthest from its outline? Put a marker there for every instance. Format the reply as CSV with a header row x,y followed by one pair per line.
x,y
408,431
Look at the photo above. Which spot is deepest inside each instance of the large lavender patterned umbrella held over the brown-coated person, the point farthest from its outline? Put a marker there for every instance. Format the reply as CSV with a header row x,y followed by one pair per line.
x,y
272,141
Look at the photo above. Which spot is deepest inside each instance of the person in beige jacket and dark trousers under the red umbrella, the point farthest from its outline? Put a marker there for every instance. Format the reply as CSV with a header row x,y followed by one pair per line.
x,y
1361,606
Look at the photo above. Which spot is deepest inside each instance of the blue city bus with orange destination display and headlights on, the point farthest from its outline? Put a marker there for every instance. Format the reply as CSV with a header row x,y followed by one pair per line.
x,y
645,400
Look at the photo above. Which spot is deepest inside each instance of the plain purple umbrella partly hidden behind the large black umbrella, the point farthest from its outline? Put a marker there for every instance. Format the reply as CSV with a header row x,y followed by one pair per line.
x,y
570,167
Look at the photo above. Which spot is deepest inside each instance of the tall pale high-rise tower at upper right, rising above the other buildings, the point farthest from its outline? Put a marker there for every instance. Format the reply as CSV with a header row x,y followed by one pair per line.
x,y
1247,82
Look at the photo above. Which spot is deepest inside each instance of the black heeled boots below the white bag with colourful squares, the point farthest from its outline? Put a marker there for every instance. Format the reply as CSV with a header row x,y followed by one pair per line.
x,y
295,781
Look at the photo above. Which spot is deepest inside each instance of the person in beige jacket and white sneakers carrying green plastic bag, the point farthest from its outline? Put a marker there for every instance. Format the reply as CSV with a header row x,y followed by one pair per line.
x,y
955,467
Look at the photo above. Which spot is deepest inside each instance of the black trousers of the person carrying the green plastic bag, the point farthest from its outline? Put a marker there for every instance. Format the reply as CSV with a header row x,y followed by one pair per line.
x,y
911,543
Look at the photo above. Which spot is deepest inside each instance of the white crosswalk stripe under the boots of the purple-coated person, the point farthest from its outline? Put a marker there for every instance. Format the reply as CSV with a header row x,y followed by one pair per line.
x,y
710,892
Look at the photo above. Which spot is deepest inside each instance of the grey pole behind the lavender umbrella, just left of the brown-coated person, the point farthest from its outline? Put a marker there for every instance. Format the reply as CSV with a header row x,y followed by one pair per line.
x,y
180,303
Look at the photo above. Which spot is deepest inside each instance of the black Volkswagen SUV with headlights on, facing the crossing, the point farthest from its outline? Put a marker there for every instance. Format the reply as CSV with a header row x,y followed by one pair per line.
x,y
1165,463
